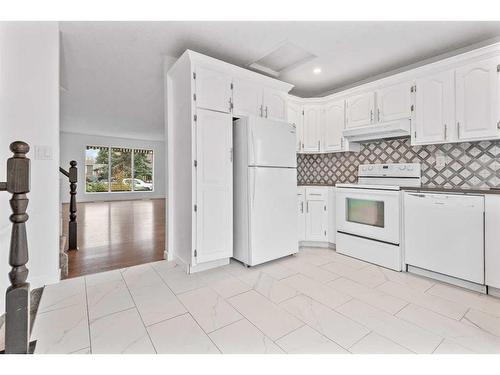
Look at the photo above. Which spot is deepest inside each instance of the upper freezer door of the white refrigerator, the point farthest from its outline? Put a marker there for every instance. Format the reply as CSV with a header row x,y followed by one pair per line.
x,y
271,143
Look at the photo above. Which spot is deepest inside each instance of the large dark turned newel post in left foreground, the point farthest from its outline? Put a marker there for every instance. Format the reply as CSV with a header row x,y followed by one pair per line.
x,y
18,294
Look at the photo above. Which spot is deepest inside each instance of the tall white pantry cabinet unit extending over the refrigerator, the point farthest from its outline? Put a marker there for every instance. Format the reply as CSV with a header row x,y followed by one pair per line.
x,y
203,96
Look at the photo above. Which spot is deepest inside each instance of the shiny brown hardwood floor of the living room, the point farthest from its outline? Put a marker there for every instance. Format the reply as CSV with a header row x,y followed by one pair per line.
x,y
118,234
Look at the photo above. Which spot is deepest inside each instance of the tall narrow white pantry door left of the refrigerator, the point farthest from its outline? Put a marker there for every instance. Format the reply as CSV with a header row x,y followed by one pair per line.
x,y
214,186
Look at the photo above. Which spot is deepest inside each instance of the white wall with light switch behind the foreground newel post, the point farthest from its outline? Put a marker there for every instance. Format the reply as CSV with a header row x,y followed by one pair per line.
x,y
29,111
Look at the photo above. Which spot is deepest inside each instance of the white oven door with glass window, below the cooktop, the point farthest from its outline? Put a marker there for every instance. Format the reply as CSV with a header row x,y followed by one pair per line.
x,y
372,214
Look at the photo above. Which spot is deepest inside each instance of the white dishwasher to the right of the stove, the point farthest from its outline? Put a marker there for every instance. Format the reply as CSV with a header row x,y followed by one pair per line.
x,y
444,233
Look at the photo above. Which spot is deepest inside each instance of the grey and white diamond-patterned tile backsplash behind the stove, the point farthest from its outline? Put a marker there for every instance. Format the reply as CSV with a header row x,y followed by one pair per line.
x,y
467,165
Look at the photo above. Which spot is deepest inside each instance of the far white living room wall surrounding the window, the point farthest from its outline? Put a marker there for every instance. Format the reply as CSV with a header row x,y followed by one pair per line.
x,y
73,147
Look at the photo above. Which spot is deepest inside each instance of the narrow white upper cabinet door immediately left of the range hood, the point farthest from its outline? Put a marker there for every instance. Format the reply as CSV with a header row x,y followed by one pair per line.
x,y
333,124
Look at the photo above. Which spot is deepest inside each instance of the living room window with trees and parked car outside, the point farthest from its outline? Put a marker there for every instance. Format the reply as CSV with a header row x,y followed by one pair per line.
x,y
118,169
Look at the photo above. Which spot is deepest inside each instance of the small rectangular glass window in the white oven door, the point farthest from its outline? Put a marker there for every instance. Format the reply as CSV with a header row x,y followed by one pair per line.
x,y
364,211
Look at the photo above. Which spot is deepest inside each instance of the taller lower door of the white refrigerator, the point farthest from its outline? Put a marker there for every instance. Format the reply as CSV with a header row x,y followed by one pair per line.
x,y
273,216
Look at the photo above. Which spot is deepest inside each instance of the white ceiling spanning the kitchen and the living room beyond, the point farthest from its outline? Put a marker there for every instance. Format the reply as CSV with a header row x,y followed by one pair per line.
x,y
113,77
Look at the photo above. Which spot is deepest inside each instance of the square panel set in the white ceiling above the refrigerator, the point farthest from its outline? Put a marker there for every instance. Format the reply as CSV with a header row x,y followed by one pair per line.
x,y
283,58
